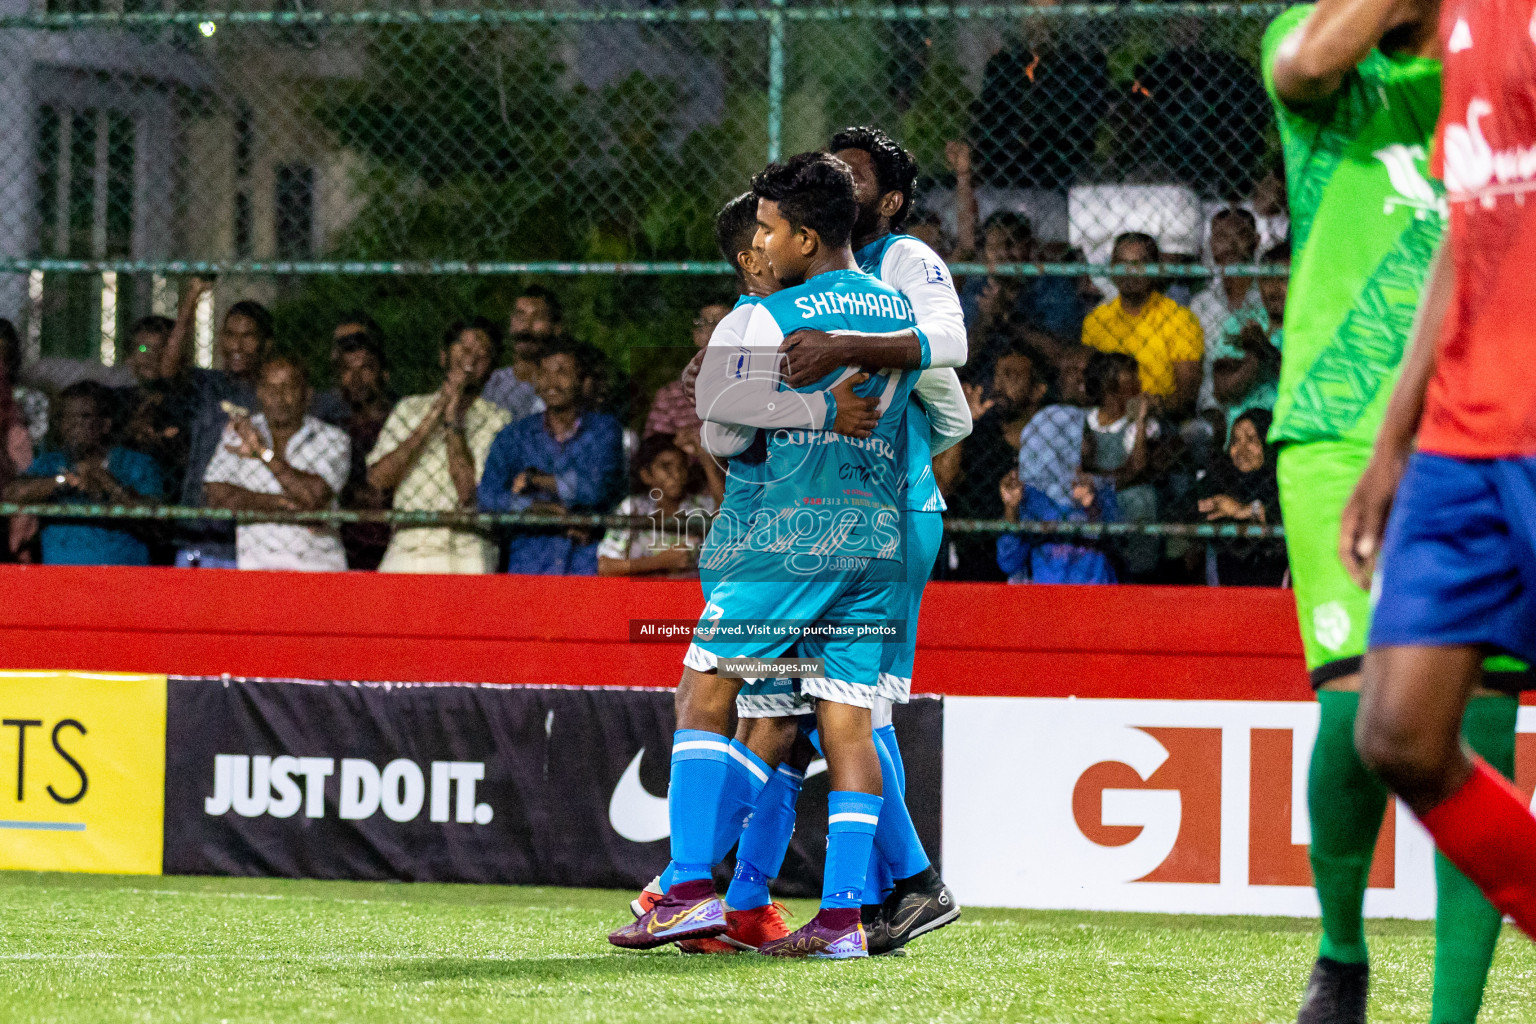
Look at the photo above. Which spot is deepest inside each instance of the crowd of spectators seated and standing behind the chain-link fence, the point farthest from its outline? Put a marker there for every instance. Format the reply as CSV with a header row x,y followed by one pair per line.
x,y
1134,400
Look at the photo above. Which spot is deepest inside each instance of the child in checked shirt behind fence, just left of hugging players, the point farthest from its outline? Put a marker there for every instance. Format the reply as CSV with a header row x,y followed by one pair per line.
x,y
661,491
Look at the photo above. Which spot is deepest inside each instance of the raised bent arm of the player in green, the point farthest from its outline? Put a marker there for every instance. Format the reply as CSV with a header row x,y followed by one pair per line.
x,y
1309,51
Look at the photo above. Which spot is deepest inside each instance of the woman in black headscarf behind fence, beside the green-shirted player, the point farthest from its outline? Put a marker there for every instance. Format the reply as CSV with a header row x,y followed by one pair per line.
x,y
1242,489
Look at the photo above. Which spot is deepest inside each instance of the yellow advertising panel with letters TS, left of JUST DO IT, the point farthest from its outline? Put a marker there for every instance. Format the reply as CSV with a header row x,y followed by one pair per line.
x,y
82,771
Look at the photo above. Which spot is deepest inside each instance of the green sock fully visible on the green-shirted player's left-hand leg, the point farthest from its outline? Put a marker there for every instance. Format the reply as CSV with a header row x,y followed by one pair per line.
x,y
1346,804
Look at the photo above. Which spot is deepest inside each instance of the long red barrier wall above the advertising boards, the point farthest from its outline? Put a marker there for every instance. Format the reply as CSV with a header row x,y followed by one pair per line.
x,y
975,638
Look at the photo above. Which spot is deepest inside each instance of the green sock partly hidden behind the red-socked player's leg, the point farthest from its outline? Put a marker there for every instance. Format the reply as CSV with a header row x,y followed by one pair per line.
x,y
1466,925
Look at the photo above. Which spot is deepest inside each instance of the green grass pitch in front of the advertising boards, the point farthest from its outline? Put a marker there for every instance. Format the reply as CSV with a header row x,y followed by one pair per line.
x,y
104,950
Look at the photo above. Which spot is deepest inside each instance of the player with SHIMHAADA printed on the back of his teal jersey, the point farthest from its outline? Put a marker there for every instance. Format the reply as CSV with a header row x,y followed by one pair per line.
x,y
823,550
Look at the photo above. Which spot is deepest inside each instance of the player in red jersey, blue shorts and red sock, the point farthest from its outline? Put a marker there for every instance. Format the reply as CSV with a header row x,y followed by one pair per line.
x,y
1458,552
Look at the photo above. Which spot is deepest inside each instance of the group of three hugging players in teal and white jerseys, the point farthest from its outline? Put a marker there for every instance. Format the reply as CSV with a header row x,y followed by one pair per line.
x,y
830,518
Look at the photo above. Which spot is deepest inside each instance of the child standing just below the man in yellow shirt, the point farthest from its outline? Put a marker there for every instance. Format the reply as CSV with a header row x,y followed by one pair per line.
x,y
1116,444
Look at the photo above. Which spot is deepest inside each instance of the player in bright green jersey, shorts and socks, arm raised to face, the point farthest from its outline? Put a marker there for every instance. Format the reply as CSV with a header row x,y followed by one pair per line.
x,y
1357,93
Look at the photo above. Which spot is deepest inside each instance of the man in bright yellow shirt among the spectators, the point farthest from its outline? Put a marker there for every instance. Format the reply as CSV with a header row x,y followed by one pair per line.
x,y
1164,337
